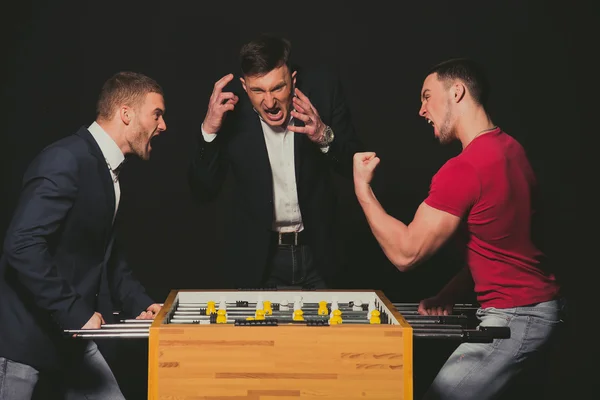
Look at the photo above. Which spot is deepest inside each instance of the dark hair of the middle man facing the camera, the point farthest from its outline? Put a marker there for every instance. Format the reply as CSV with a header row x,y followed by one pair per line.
x,y
264,54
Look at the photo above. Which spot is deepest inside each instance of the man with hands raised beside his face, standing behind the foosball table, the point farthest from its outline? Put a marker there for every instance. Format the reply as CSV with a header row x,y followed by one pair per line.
x,y
280,141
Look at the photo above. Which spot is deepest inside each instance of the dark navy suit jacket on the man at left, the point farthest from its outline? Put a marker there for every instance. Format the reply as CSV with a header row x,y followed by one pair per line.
x,y
60,260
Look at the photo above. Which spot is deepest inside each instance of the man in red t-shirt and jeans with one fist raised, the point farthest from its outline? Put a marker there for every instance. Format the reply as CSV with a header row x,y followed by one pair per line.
x,y
488,189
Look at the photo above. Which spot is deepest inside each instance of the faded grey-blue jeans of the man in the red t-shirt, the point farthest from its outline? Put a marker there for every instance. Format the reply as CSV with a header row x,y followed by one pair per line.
x,y
483,371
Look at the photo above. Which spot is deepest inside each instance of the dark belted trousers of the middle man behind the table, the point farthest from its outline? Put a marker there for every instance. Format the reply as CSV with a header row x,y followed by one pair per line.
x,y
292,266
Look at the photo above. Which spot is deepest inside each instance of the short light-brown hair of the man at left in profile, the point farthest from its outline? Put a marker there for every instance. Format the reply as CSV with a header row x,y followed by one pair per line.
x,y
124,88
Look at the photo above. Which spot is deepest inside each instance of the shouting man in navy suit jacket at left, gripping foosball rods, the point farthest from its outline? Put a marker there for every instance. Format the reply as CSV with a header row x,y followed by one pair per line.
x,y
61,267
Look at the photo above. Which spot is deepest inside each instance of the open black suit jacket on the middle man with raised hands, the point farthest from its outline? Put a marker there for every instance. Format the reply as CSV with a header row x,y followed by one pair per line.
x,y
240,146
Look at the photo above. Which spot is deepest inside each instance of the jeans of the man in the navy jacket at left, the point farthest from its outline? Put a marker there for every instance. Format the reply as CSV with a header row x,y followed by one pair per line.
x,y
90,379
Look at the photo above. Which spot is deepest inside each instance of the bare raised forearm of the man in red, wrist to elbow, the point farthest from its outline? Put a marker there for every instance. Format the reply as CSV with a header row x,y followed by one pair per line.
x,y
392,235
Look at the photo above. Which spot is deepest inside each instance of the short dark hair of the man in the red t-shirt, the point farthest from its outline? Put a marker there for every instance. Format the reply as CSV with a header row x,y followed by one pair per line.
x,y
468,71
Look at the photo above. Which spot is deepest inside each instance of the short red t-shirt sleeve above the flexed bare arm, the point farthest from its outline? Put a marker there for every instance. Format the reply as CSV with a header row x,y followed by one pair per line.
x,y
454,188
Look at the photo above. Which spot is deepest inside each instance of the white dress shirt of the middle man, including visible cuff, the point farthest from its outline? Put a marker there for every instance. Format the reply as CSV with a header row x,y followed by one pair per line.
x,y
280,147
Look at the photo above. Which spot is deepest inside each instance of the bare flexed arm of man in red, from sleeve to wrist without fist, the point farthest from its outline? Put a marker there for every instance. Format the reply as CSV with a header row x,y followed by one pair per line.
x,y
407,245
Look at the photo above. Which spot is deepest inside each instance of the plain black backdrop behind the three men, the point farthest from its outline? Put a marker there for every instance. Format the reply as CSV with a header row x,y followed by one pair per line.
x,y
59,53
